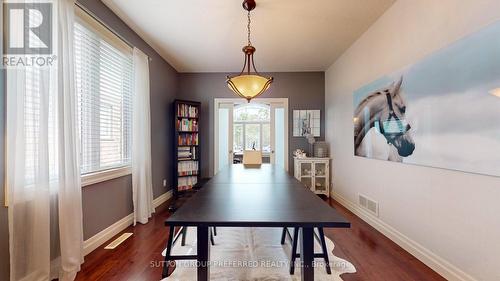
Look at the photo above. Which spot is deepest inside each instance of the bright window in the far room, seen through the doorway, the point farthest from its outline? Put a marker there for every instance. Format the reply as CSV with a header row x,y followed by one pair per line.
x,y
251,128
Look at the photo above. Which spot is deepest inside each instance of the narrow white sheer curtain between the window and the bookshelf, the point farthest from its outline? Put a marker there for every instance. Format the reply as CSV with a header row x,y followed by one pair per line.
x,y
142,187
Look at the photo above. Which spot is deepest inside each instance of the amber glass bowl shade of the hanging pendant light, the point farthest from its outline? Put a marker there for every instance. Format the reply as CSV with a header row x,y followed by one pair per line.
x,y
249,86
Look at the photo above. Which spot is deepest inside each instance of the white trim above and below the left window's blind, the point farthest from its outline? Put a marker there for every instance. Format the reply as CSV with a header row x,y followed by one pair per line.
x,y
90,21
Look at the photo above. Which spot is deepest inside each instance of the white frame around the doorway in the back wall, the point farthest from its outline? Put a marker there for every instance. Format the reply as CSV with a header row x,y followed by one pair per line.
x,y
220,101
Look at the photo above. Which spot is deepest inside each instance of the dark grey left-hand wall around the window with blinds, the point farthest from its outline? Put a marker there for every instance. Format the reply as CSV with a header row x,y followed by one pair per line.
x,y
107,202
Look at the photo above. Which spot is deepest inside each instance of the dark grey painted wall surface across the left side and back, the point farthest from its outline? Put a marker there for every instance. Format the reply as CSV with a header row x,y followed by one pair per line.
x,y
107,202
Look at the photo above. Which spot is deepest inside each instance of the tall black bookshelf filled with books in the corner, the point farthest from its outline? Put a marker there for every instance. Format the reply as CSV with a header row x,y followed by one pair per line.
x,y
186,146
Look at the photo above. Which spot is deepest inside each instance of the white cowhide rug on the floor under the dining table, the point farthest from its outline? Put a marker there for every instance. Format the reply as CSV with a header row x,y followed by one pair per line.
x,y
252,254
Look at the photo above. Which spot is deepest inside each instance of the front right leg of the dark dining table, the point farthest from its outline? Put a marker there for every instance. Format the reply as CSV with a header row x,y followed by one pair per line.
x,y
307,253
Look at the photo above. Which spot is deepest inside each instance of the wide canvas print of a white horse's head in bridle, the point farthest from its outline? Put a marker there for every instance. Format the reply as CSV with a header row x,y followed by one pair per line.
x,y
443,111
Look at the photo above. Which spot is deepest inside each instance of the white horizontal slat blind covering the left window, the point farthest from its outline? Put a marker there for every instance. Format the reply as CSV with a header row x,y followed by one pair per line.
x,y
104,83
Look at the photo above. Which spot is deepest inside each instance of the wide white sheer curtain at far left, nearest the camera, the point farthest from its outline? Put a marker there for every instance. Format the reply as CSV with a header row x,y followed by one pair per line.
x,y
42,171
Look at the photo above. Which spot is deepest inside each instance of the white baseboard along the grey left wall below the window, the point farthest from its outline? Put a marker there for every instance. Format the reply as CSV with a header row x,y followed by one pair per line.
x,y
100,238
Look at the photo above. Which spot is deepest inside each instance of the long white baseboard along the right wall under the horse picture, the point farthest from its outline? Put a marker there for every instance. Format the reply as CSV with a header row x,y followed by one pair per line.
x,y
438,264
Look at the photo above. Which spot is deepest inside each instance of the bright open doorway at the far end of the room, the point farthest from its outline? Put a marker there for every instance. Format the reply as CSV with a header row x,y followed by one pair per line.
x,y
259,125
